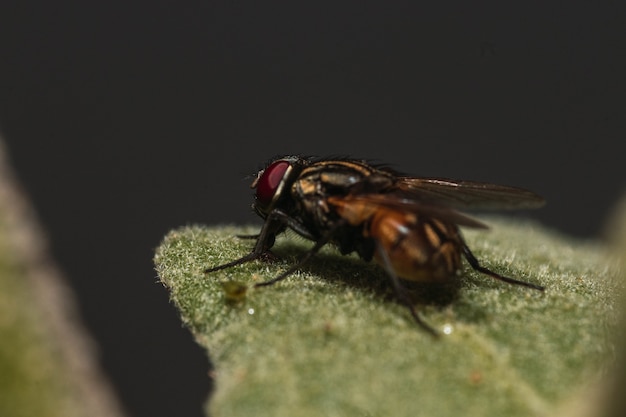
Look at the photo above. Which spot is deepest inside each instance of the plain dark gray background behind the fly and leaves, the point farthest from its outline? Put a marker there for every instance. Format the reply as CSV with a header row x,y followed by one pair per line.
x,y
126,119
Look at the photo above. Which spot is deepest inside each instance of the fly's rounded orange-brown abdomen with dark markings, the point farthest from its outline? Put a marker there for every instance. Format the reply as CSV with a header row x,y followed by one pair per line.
x,y
418,248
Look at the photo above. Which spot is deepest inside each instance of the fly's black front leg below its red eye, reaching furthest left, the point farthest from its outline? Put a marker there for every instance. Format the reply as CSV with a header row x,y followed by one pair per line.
x,y
274,224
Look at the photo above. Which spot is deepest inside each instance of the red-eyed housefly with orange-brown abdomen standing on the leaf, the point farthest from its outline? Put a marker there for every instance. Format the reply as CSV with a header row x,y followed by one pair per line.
x,y
409,225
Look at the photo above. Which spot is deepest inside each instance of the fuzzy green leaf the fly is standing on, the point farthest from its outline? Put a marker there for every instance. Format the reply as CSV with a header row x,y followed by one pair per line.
x,y
331,340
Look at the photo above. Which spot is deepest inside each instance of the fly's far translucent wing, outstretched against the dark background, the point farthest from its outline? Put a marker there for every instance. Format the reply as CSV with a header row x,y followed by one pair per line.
x,y
466,194
